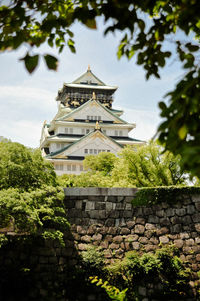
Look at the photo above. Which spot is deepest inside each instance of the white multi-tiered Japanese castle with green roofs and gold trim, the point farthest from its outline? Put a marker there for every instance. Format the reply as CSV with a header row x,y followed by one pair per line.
x,y
85,124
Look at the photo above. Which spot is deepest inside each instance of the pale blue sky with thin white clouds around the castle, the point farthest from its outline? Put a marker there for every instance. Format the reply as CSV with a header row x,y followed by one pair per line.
x,y
27,100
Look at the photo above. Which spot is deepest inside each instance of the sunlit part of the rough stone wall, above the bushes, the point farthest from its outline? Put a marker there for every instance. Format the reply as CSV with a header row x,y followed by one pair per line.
x,y
105,217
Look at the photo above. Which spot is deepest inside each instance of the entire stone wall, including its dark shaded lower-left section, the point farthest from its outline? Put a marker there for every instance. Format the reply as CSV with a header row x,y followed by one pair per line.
x,y
33,270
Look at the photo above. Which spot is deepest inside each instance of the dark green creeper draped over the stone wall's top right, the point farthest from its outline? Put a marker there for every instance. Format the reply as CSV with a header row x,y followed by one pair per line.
x,y
168,194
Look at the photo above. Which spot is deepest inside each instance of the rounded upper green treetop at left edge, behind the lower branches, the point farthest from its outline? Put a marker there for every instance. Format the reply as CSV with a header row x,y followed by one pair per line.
x,y
23,168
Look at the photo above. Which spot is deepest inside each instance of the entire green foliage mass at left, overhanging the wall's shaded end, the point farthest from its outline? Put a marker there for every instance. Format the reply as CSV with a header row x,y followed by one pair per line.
x,y
30,200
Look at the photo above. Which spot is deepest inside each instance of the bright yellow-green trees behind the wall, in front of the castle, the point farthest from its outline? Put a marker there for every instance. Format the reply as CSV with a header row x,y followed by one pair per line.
x,y
147,166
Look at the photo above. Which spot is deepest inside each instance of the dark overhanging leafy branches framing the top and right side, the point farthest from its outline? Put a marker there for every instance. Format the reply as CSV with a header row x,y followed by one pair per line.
x,y
35,22
